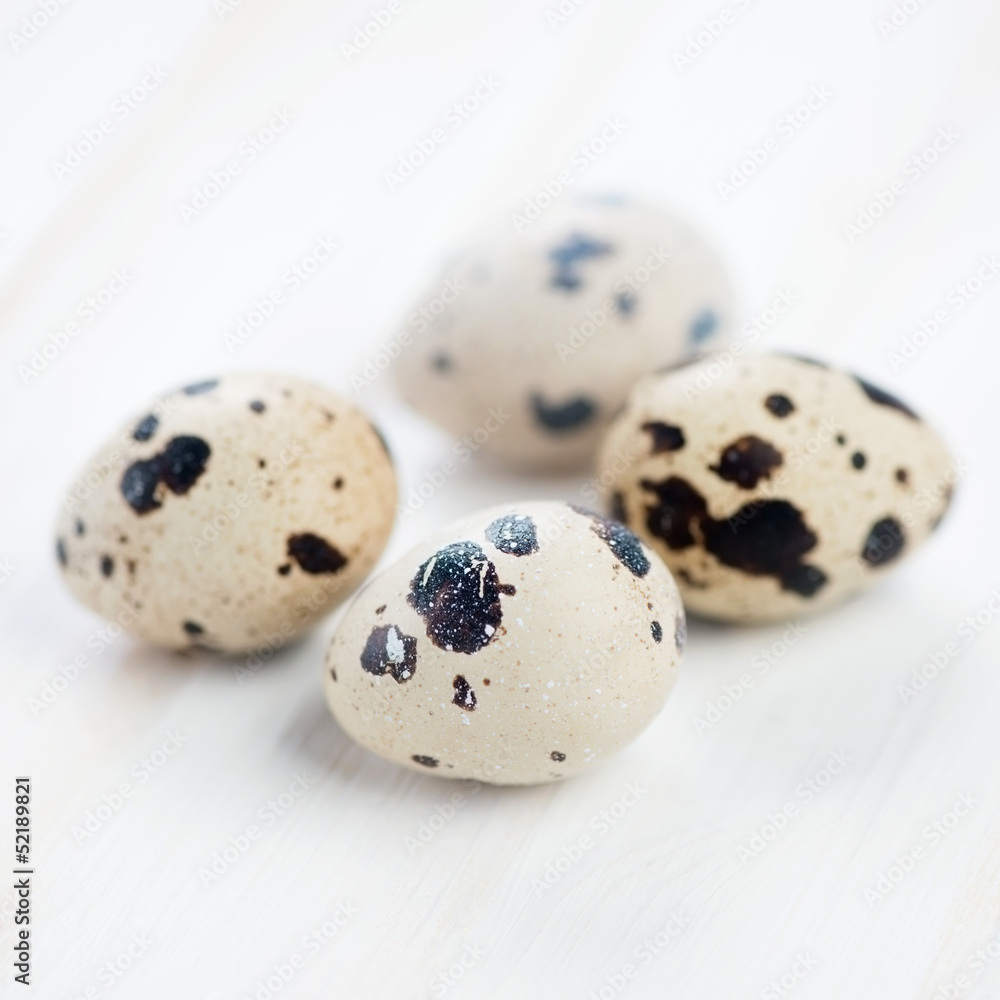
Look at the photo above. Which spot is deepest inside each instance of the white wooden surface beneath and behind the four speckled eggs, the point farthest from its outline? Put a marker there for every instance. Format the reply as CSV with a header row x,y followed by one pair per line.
x,y
344,849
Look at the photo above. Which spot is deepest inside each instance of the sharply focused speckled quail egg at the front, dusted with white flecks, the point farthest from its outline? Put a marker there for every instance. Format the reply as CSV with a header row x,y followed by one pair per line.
x,y
524,644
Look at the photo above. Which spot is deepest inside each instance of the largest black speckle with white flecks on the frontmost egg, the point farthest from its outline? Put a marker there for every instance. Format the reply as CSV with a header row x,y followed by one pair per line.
x,y
457,593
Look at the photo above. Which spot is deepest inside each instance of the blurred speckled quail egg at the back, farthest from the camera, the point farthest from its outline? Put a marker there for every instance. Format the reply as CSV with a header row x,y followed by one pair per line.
x,y
530,340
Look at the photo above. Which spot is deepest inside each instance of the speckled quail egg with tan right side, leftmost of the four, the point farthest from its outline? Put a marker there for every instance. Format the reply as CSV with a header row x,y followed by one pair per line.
x,y
233,513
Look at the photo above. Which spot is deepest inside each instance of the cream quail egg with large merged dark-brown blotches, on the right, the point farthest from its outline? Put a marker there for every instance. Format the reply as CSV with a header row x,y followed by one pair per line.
x,y
773,485
